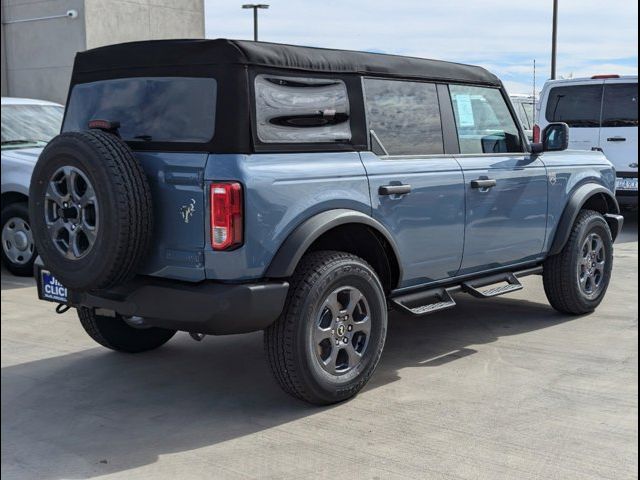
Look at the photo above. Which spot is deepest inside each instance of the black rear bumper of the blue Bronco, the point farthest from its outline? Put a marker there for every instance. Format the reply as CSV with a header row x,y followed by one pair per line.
x,y
206,307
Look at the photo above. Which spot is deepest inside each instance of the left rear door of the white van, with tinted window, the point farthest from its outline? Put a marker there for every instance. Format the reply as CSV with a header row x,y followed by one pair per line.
x,y
578,105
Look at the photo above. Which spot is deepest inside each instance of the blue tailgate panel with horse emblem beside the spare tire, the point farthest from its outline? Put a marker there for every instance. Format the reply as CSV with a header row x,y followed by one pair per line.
x,y
176,181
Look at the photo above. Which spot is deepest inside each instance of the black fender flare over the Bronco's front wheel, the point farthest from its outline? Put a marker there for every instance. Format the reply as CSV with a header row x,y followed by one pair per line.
x,y
575,203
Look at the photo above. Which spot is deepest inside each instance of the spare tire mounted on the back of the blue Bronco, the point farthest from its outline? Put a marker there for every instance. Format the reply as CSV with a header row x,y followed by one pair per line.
x,y
90,207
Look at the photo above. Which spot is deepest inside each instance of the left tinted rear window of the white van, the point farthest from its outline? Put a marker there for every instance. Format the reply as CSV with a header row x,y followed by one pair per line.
x,y
576,105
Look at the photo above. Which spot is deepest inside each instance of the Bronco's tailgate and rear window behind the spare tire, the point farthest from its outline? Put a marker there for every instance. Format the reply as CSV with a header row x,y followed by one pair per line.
x,y
159,118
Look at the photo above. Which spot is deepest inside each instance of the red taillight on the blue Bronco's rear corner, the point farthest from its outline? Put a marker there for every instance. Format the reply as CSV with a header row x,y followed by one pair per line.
x,y
226,215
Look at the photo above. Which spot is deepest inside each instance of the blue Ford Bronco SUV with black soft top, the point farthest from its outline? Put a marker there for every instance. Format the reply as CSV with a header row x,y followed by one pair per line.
x,y
221,187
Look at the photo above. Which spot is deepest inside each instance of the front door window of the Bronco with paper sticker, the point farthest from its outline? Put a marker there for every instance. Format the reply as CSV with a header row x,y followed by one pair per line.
x,y
483,120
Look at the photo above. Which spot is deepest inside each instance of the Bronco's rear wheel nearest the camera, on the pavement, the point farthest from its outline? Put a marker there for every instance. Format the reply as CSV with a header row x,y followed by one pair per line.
x,y
330,336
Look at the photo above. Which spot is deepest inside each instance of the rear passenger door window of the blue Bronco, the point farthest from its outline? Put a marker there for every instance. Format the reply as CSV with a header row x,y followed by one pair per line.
x,y
405,116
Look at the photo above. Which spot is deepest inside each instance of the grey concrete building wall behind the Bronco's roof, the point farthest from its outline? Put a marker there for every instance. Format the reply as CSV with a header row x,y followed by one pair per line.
x,y
38,55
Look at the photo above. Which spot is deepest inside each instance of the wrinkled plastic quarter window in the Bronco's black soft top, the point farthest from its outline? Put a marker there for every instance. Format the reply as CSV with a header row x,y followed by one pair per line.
x,y
301,110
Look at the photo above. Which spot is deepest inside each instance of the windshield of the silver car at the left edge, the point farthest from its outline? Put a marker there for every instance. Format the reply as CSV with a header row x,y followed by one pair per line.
x,y
25,126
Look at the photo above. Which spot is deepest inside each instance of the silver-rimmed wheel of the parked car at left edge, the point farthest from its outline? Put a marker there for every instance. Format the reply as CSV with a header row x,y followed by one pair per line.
x,y
18,247
